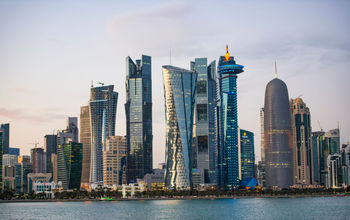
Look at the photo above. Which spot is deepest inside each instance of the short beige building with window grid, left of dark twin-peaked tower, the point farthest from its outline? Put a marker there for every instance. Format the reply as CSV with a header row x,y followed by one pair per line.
x,y
114,161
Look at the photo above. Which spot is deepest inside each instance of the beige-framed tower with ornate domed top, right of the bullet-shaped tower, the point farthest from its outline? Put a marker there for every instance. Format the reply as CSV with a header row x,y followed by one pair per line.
x,y
302,143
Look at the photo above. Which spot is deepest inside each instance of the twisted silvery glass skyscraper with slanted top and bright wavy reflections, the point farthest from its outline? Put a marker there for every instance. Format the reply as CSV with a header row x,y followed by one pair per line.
x,y
179,94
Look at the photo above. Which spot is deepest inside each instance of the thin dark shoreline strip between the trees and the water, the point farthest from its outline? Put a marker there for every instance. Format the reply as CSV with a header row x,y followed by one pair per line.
x,y
177,198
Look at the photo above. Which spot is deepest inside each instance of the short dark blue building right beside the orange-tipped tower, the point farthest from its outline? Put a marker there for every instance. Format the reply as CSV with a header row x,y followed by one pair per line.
x,y
247,156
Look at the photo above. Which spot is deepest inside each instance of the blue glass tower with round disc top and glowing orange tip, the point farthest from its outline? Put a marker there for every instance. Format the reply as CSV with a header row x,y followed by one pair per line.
x,y
227,173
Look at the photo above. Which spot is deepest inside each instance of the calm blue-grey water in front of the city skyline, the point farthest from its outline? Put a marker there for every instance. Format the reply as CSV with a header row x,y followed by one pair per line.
x,y
282,208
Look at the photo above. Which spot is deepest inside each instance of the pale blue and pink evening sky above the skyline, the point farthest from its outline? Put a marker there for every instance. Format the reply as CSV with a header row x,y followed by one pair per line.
x,y
51,51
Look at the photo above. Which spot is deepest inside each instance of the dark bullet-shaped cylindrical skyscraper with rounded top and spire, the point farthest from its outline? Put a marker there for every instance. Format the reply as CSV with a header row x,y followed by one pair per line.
x,y
278,136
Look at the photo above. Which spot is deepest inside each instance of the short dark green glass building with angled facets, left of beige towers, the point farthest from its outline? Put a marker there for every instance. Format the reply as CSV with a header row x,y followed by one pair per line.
x,y
69,165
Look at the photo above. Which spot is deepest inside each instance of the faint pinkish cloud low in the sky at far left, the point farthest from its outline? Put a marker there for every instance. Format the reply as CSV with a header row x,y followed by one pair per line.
x,y
37,117
